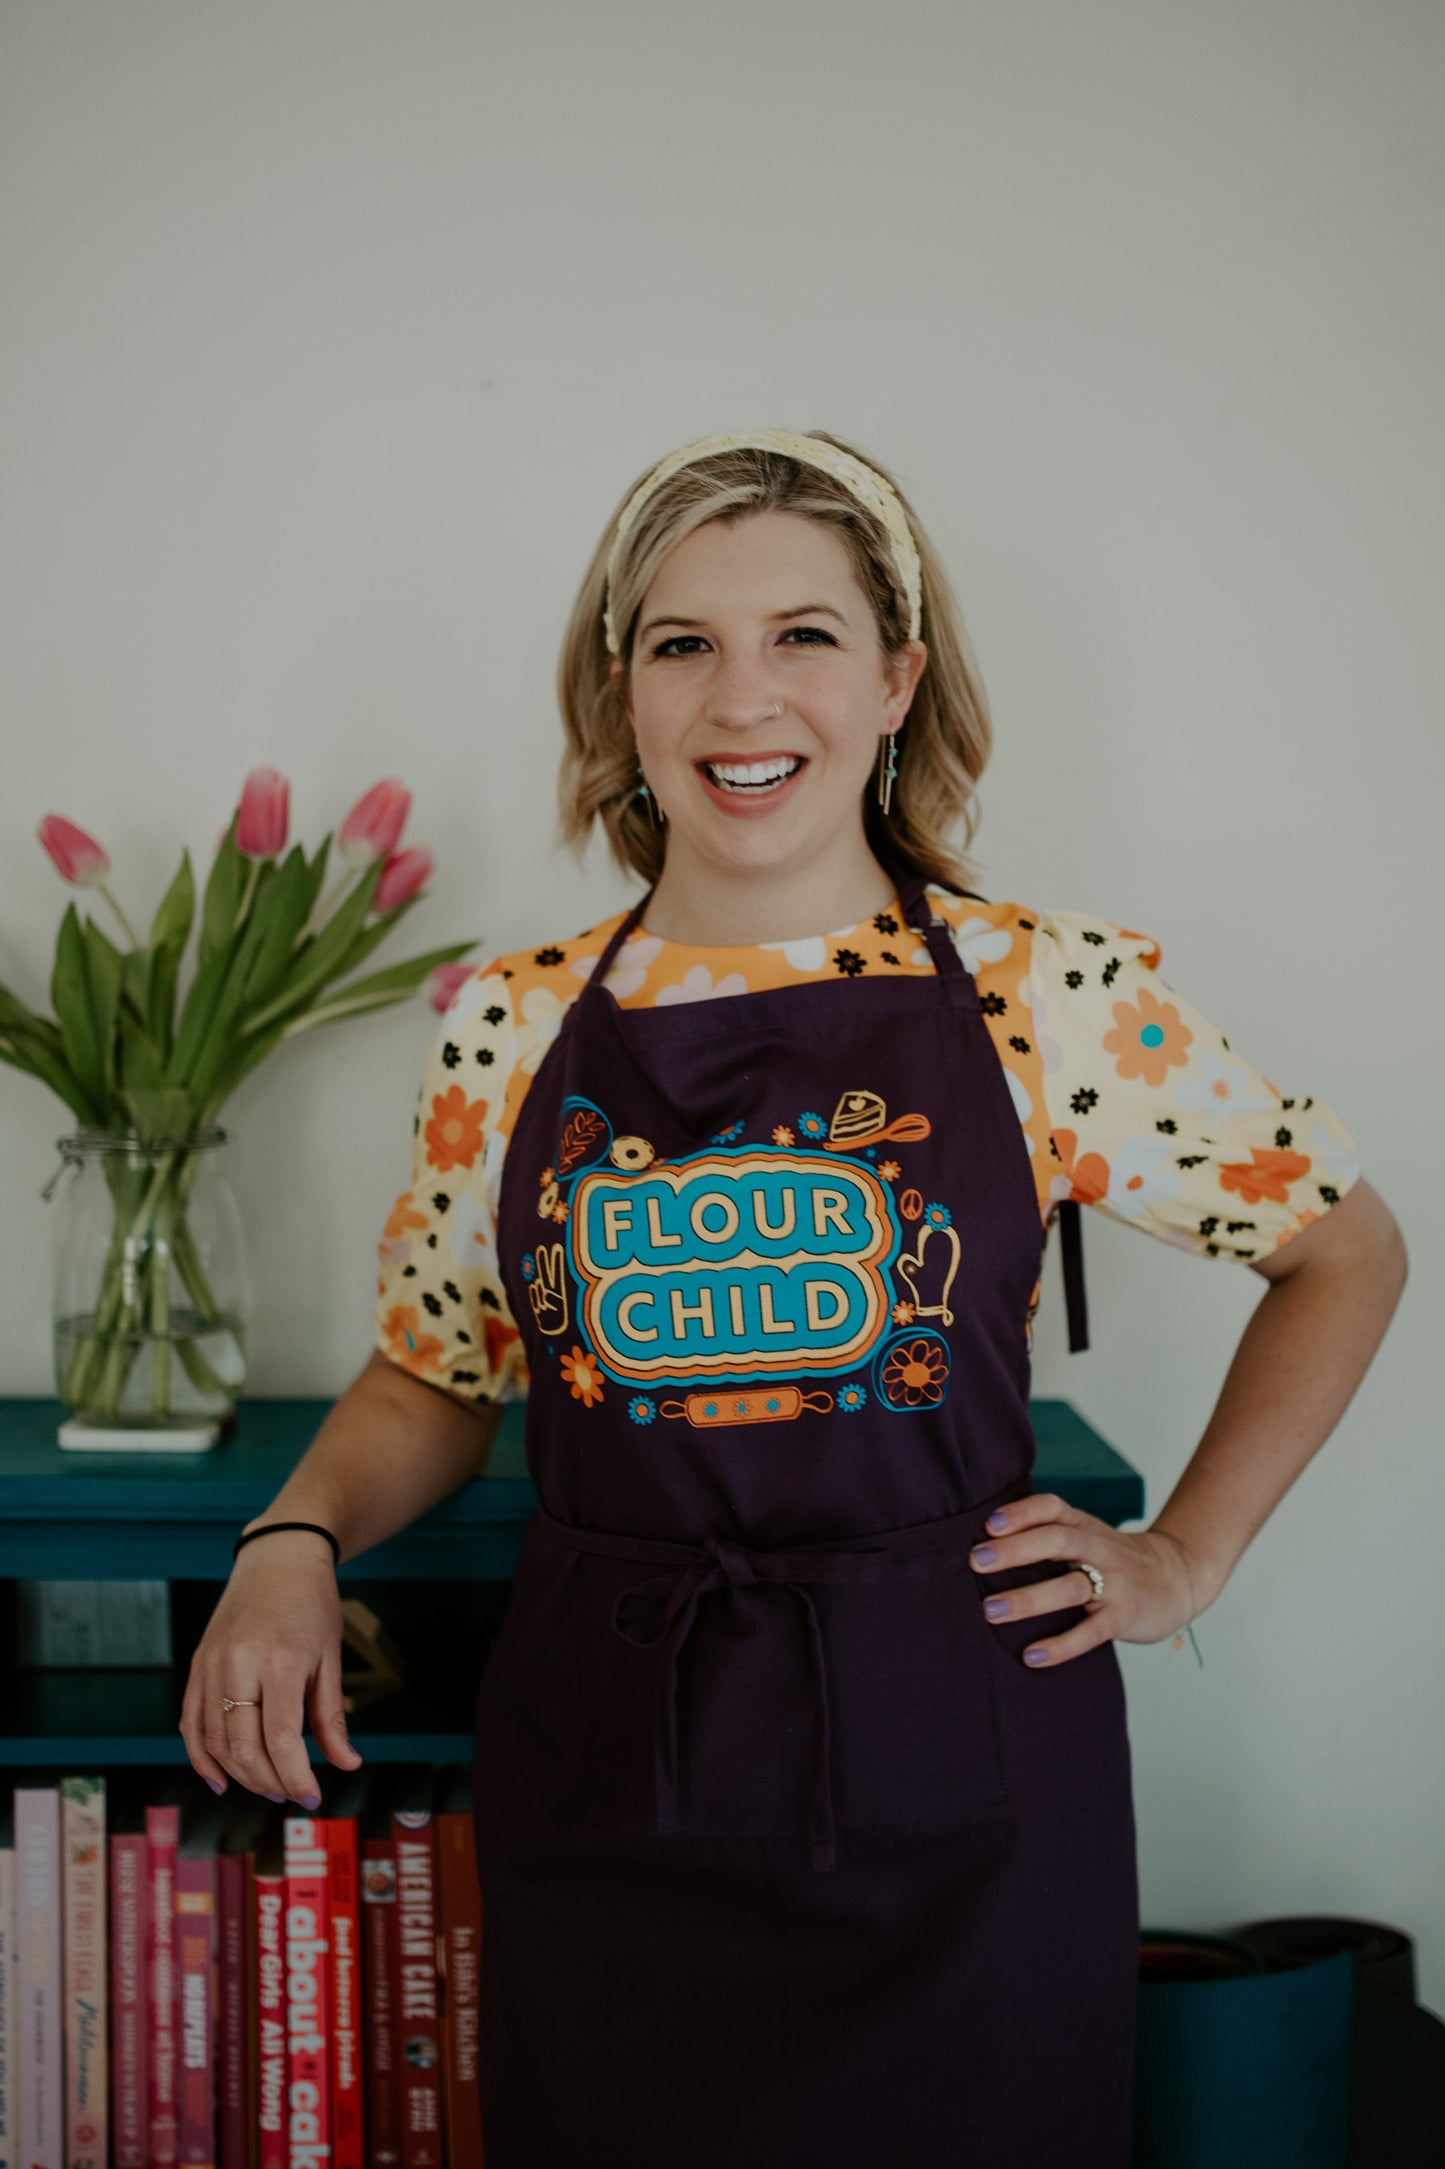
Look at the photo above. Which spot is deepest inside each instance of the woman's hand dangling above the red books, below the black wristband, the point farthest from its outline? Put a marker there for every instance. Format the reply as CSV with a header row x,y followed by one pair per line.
x,y
274,1641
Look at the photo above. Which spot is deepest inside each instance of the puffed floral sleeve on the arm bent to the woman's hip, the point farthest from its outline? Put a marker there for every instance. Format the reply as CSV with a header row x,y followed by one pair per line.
x,y
1155,1118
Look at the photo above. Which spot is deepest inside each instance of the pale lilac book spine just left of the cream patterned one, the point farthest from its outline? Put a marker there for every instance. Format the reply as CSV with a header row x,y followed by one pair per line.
x,y
38,2005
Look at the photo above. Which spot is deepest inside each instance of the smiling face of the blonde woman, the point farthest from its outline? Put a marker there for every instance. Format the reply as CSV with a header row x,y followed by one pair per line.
x,y
760,691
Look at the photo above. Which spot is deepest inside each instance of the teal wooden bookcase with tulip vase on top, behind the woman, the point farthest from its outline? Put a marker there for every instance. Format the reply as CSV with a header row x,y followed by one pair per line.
x,y
439,1587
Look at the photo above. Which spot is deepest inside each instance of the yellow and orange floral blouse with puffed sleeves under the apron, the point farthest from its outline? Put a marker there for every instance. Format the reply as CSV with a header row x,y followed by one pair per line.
x,y
1127,1099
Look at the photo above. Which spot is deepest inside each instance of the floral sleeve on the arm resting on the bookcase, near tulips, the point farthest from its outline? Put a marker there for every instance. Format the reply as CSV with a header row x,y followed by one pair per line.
x,y
442,1309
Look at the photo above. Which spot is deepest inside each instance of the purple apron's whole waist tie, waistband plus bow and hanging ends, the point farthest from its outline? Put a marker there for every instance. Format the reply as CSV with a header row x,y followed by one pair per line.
x,y
719,1563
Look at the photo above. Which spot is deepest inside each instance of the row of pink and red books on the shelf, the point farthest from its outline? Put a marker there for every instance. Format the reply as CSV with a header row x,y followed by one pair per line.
x,y
192,1984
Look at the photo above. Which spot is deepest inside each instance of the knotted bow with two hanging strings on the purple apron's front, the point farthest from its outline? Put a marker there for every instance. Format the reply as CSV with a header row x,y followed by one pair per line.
x,y
719,1565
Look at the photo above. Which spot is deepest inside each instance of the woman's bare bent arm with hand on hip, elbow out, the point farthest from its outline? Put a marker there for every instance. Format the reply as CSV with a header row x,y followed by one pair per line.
x,y
1333,1292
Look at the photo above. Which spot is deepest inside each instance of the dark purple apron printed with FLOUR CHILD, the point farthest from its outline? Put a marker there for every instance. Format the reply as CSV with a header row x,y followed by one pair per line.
x,y
787,1858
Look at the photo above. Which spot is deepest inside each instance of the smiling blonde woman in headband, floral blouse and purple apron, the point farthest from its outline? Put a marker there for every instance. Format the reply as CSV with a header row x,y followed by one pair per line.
x,y
802,1793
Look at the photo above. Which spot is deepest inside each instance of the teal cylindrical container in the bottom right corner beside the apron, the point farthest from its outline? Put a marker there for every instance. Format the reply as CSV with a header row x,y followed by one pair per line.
x,y
1244,2070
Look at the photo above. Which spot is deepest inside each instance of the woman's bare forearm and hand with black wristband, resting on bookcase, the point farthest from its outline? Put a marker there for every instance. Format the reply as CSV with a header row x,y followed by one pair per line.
x,y
389,1450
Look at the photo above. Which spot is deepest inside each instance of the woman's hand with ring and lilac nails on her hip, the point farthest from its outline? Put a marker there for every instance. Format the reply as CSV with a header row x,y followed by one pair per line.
x,y
1151,1587
